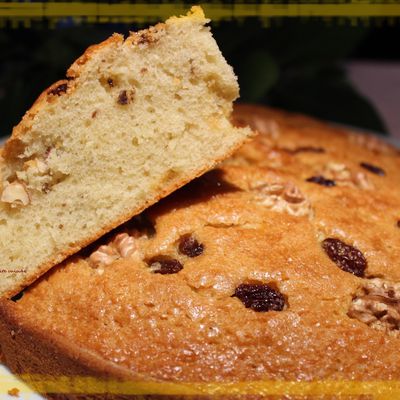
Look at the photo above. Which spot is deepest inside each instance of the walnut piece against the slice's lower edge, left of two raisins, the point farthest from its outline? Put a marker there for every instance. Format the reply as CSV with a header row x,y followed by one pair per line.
x,y
122,246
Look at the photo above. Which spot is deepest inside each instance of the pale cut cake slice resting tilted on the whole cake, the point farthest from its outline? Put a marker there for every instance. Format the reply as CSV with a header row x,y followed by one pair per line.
x,y
134,120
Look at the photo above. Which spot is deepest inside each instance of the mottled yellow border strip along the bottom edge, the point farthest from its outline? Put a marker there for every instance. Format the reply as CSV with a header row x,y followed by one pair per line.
x,y
382,390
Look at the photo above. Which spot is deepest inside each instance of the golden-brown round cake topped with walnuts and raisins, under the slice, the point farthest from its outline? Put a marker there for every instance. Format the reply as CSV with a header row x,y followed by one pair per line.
x,y
279,265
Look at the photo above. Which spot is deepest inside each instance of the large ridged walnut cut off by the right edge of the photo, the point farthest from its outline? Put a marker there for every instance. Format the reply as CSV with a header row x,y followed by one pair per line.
x,y
378,305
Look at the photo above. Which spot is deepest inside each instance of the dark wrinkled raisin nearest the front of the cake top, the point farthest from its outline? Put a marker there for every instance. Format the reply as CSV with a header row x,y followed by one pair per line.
x,y
260,297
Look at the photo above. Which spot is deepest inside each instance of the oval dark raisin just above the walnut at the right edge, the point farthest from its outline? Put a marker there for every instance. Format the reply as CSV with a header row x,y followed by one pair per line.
x,y
346,257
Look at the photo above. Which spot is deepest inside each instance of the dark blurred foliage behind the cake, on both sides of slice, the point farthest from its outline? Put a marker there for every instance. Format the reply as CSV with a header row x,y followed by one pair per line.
x,y
294,65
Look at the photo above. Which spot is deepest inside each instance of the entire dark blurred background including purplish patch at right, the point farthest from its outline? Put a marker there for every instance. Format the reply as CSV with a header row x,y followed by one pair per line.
x,y
342,70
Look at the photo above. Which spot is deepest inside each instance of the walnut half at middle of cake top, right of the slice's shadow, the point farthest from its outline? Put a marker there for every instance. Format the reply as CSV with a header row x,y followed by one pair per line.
x,y
283,198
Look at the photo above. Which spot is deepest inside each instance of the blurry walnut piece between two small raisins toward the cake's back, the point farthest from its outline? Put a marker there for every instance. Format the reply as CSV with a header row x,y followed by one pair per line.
x,y
343,176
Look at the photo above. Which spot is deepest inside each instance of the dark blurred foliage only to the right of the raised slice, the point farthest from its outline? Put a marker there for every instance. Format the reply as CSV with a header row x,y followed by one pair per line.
x,y
298,66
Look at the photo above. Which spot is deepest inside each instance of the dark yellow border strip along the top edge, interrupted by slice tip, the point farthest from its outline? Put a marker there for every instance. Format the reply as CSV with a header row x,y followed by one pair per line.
x,y
214,11
